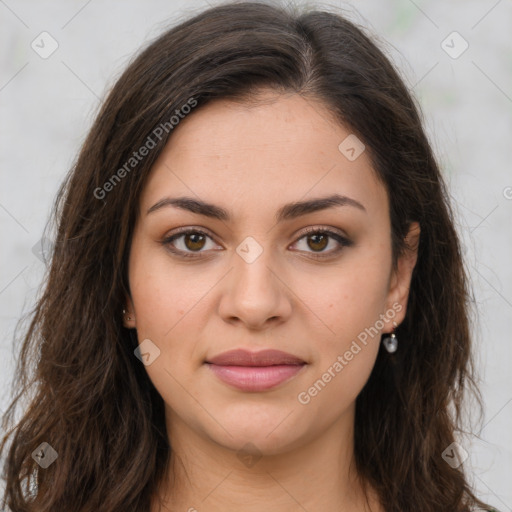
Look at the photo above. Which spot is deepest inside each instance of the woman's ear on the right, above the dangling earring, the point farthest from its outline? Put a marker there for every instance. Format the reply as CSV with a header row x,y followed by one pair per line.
x,y
400,281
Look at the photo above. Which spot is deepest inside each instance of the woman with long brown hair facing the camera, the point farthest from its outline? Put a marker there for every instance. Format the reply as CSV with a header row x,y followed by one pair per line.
x,y
256,284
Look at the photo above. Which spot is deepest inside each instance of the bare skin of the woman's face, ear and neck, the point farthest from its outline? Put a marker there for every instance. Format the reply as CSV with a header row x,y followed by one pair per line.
x,y
250,159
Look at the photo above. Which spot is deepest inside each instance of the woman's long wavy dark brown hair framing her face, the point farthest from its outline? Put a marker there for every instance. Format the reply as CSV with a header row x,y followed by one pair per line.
x,y
89,397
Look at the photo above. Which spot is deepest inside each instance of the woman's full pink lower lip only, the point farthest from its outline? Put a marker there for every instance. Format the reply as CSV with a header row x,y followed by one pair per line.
x,y
255,378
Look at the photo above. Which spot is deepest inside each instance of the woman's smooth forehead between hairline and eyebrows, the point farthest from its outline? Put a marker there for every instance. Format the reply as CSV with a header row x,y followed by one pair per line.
x,y
281,148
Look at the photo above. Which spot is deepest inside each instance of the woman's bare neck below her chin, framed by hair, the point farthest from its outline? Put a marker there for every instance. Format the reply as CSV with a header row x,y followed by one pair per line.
x,y
317,475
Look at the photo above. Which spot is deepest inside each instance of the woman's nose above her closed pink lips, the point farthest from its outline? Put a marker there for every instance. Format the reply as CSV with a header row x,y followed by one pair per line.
x,y
255,294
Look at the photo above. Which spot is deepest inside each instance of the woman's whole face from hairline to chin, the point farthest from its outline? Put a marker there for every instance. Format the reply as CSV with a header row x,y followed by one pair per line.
x,y
259,271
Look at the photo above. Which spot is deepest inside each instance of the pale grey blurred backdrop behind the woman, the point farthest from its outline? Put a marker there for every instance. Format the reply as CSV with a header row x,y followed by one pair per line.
x,y
456,57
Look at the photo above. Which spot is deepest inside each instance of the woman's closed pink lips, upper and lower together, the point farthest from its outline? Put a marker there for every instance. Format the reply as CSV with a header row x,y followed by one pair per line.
x,y
255,371
